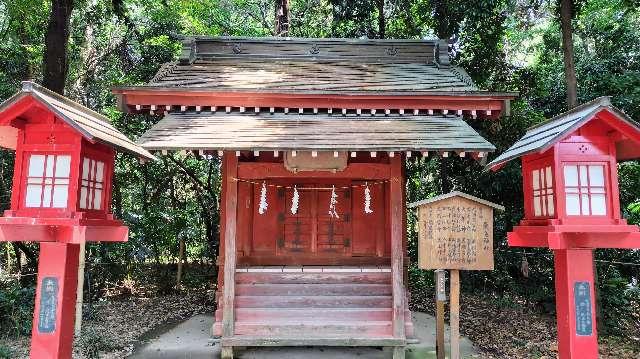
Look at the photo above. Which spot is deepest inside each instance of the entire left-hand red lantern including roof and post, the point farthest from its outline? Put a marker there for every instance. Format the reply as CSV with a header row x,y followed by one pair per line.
x,y
61,198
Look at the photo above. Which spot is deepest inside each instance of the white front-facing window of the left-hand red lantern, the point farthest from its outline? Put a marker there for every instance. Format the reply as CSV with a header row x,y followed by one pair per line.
x,y
48,181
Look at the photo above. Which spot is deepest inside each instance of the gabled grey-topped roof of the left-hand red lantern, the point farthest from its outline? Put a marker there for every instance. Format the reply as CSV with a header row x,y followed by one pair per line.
x,y
92,125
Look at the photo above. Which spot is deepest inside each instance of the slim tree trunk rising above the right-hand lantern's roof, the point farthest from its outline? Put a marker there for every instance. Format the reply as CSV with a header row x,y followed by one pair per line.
x,y
566,7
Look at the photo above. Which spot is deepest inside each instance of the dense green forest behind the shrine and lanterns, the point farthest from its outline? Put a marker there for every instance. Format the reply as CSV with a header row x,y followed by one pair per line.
x,y
505,45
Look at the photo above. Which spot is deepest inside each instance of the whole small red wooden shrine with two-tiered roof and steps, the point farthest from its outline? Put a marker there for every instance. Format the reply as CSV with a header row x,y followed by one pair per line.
x,y
313,135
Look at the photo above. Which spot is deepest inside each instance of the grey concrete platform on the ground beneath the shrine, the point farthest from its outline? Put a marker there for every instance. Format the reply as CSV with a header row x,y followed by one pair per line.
x,y
192,340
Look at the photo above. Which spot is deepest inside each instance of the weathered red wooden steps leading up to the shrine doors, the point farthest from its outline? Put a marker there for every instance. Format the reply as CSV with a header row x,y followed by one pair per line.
x,y
284,307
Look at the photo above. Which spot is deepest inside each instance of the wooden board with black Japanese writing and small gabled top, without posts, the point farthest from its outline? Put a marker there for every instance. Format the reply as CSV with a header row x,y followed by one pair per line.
x,y
455,231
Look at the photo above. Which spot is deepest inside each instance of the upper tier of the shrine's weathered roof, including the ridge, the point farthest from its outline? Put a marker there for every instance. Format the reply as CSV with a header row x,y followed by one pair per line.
x,y
314,65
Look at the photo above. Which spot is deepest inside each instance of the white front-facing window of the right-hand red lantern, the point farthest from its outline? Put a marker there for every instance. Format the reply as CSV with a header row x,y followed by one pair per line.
x,y
585,192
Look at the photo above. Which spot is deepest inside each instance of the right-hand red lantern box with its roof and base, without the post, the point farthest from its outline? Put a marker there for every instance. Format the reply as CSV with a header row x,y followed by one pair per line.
x,y
570,178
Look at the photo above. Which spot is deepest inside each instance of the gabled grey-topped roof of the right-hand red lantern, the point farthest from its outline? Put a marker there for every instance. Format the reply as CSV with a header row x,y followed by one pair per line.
x,y
543,136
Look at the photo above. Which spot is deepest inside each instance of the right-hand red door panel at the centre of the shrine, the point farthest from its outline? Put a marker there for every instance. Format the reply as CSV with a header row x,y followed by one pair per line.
x,y
334,228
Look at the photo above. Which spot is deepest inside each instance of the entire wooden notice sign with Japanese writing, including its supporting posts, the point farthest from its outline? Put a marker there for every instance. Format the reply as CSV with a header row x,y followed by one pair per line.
x,y
455,232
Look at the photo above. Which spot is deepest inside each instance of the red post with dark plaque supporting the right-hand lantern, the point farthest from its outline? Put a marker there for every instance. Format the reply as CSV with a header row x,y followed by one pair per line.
x,y
575,304
